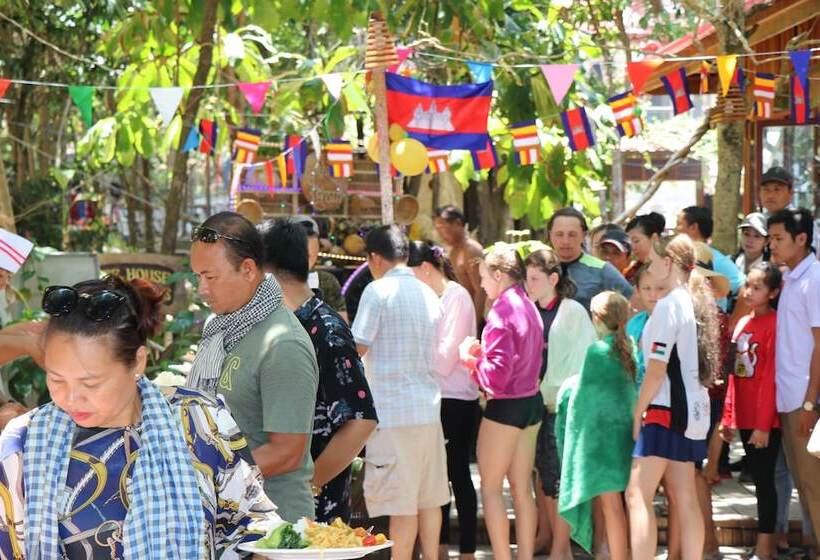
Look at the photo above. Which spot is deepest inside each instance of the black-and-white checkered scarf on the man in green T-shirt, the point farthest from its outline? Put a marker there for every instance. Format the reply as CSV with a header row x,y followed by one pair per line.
x,y
222,333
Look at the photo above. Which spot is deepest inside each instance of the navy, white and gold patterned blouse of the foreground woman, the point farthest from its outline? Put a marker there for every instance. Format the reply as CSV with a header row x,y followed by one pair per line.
x,y
98,483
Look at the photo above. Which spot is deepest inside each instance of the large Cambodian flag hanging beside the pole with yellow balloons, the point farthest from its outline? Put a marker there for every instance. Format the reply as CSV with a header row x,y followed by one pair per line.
x,y
443,117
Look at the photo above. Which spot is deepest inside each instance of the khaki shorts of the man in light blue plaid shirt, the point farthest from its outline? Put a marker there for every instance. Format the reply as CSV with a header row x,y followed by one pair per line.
x,y
405,470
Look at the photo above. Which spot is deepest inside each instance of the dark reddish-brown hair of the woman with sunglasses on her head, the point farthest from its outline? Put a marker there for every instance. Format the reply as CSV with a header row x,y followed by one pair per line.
x,y
129,326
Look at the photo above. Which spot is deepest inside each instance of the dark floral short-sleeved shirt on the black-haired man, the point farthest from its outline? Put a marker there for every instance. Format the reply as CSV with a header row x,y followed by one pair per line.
x,y
343,395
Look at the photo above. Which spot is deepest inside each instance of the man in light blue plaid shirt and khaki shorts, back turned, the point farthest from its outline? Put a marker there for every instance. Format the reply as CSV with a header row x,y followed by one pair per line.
x,y
405,459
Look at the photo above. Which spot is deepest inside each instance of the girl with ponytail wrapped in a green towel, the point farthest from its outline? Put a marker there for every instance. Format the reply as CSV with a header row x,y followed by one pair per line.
x,y
594,428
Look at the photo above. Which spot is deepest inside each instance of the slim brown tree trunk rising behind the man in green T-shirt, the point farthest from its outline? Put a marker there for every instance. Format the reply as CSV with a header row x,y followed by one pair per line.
x,y
180,172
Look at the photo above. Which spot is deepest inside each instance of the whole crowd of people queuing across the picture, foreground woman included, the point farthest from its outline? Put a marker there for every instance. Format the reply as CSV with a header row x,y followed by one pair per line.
x,y
587,381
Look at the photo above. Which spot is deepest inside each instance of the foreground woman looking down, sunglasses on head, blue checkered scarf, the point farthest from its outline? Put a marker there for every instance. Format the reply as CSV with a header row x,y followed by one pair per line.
x,y
144,474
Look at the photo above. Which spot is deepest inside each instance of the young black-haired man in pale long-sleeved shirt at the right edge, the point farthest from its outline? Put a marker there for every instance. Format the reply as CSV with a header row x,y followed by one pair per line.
x,y
798,349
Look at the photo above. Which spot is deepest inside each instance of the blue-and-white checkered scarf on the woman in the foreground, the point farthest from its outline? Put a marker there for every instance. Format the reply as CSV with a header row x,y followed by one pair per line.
x,y
165,519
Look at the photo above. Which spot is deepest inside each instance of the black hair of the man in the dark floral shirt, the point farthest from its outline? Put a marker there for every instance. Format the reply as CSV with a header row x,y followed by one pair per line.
x,y
285,242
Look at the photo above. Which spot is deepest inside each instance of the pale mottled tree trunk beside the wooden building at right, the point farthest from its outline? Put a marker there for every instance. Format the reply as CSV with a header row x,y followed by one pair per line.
x,y
730,139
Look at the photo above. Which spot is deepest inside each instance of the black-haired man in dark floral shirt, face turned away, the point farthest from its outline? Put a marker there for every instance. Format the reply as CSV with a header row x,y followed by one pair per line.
x,y
345,415
